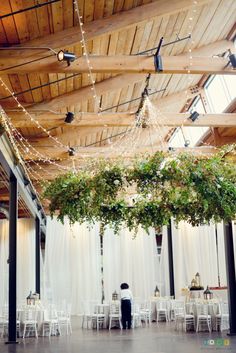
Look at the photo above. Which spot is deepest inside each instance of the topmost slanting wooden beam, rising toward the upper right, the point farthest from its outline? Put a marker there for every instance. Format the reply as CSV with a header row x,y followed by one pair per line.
x,y
120,21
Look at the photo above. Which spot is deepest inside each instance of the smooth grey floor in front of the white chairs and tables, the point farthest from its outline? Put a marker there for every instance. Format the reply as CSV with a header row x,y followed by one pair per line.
x,y
154,339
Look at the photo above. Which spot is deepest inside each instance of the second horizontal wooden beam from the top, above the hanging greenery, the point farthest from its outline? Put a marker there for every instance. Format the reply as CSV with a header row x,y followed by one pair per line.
x,y
82,120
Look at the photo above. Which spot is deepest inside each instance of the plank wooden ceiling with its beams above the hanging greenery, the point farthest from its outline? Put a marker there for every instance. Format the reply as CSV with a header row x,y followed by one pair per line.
x,y
48,89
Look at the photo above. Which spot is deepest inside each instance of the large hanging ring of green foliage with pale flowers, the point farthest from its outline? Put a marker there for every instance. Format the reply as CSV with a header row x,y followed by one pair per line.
x,y
149,193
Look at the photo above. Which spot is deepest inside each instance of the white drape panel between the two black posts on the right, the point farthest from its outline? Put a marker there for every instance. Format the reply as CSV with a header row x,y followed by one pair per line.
x,y
194,250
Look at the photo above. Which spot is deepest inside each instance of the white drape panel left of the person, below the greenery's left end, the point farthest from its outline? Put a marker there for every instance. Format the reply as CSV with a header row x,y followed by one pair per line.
x,y
72,268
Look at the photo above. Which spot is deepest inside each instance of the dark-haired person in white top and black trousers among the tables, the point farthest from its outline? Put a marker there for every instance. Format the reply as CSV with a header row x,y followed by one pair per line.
x,y
126,298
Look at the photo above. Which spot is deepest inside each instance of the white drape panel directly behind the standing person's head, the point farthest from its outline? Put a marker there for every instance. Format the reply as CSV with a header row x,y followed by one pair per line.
x,y
132,259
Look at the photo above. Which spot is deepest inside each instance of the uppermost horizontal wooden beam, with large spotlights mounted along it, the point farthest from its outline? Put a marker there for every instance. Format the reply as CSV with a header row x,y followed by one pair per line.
x,y
132,64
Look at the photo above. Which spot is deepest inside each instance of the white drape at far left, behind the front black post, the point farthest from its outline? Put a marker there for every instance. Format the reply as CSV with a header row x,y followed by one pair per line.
x,y
25,259
